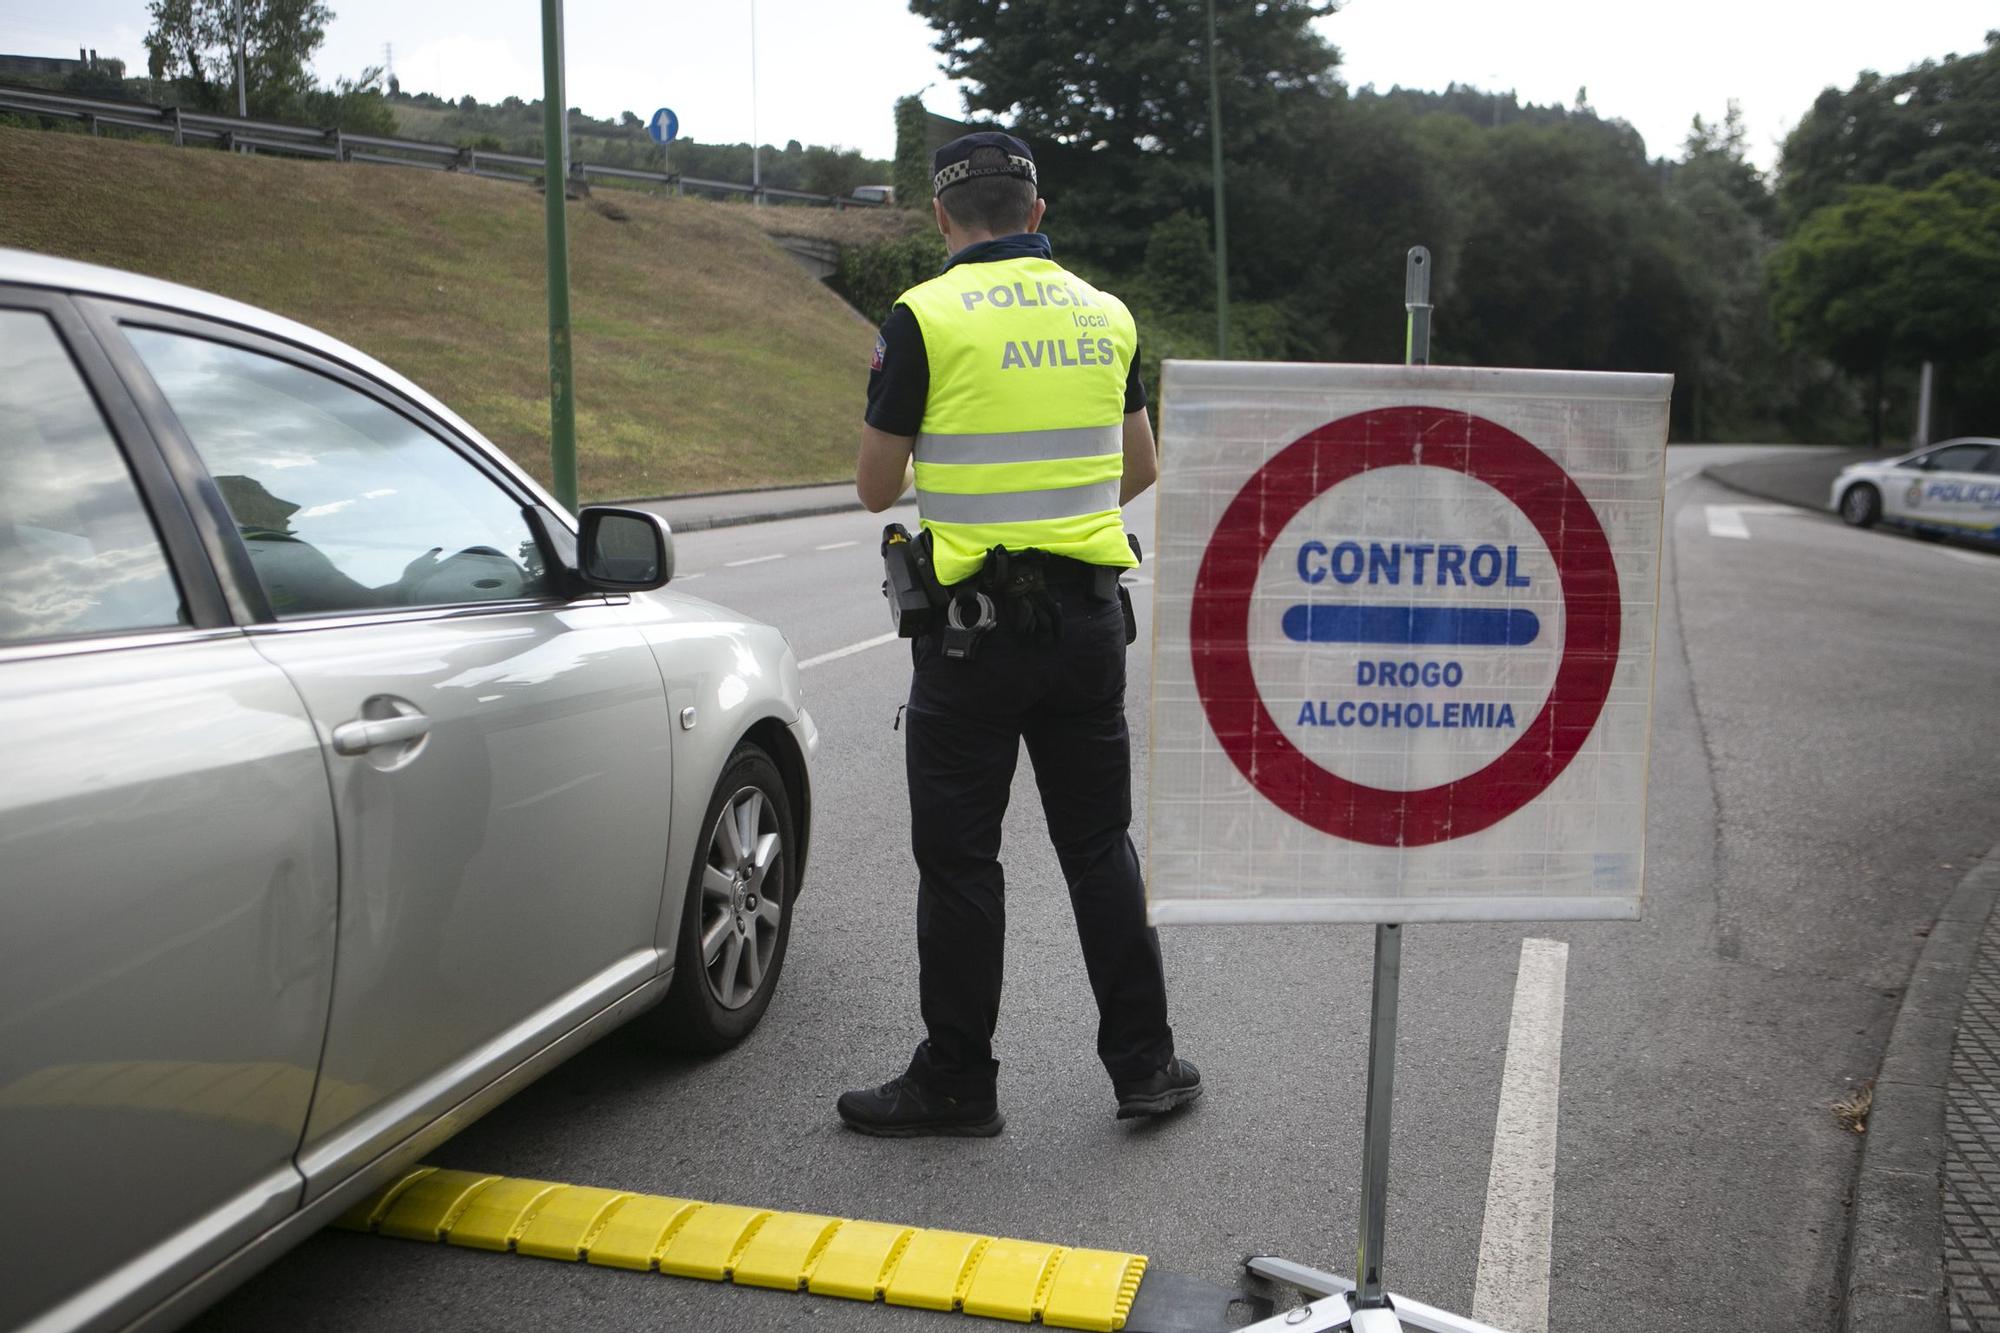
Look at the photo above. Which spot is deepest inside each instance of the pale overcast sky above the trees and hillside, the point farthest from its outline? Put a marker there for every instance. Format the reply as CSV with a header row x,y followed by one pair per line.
x,y
829,71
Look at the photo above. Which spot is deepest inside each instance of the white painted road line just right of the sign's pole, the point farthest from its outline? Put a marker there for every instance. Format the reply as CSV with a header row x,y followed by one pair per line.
x,y
1517,1240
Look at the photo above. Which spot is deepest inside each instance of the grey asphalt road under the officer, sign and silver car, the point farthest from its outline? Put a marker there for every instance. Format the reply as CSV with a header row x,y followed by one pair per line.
x,y
1821,778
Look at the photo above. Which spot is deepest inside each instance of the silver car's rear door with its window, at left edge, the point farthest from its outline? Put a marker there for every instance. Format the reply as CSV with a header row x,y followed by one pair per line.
x,y
167,864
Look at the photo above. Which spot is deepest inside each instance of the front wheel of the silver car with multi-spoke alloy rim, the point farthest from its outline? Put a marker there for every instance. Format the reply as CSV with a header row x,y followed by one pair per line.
x,y
737,918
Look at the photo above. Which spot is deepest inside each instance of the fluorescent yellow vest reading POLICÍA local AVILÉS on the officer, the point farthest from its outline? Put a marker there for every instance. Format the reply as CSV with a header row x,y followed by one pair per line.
x,y
1023,437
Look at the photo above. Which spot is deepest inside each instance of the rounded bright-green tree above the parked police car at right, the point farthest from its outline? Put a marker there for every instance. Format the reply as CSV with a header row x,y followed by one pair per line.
x,y
1895,277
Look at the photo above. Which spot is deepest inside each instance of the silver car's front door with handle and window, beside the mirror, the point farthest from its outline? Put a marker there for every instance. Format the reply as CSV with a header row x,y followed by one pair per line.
x,y
499,752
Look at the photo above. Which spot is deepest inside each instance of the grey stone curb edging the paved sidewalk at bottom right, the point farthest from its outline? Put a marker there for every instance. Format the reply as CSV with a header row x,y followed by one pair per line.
x,y
1895,1262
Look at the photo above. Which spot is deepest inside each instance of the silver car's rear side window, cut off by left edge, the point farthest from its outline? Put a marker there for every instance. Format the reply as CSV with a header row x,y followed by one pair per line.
x,y
79,553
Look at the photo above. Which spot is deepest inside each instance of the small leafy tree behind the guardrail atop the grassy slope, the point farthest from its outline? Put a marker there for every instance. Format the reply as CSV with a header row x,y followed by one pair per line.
x,y
195,45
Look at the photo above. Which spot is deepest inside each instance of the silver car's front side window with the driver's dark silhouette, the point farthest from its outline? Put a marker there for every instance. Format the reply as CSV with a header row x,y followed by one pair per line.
x,y
343,503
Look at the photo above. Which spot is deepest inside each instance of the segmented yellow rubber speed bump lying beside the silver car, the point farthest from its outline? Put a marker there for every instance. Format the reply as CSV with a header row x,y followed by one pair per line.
x,y
757,1248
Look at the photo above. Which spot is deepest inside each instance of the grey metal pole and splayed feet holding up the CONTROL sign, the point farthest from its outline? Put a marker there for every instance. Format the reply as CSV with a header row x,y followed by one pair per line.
x,y
1365,1306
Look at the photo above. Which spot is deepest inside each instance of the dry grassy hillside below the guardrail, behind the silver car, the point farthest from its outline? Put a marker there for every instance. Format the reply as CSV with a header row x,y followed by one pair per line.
x,y
705,357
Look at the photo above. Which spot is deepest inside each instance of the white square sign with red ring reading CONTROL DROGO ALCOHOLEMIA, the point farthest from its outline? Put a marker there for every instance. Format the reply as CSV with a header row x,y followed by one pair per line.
x,y
1405,643
